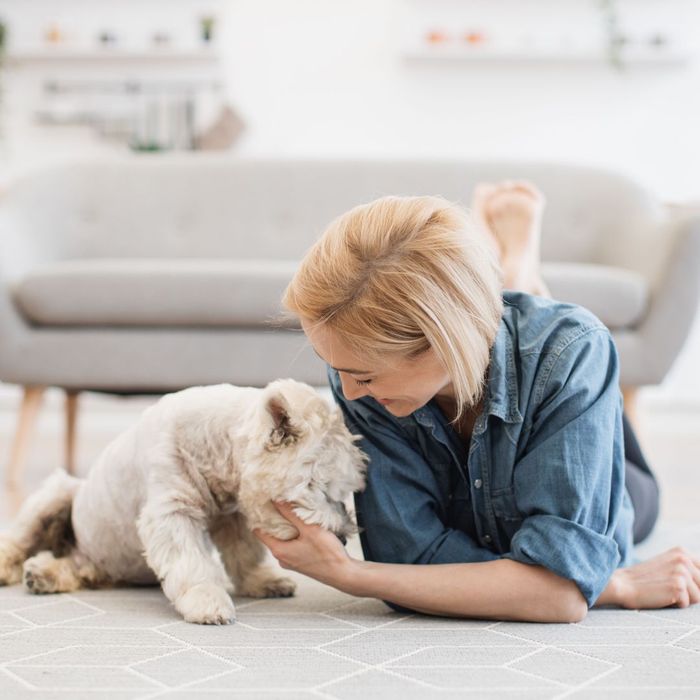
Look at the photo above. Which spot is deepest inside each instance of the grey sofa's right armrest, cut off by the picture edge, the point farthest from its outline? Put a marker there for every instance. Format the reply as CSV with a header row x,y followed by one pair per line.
x,y
673,304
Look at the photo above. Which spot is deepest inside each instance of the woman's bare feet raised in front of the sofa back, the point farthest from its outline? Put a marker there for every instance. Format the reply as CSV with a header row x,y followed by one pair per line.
x,y
511,212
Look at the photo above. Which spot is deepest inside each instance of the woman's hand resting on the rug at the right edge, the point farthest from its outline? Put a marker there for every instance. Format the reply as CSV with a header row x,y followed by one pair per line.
x,y
672,578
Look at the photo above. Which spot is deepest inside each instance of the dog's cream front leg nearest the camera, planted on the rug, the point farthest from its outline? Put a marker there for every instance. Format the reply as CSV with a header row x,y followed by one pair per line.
x,y
177,548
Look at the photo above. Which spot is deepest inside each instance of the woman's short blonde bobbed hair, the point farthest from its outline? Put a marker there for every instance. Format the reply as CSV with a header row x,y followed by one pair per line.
x,y
400,275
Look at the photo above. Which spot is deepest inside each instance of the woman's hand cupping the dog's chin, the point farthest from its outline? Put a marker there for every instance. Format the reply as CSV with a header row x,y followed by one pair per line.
x,y
316,552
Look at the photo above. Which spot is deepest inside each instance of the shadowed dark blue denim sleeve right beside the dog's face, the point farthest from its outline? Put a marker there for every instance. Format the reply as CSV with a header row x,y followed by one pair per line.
x,y
400,514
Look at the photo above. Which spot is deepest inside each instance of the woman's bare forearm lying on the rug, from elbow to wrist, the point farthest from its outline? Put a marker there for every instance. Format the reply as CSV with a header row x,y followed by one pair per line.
x,y
501,589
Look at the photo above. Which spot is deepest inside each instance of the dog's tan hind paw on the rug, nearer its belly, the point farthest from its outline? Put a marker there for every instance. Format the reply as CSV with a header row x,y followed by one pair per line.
x,y
45,573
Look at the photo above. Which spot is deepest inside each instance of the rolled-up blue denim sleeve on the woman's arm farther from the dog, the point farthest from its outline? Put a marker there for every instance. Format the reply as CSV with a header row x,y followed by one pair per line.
x,y
569,482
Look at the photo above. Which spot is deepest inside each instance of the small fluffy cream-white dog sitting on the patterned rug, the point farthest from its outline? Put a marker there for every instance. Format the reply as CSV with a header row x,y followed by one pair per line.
x,y
200,467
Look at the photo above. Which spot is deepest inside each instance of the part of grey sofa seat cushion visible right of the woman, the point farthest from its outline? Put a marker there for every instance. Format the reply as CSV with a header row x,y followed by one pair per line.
x,y
617,297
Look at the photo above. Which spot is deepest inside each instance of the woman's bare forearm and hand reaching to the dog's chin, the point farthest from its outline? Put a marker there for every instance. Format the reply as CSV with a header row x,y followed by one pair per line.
x,y
501,589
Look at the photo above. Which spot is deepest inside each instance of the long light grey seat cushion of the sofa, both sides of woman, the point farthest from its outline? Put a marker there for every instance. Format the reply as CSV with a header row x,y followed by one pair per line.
x,y
246,293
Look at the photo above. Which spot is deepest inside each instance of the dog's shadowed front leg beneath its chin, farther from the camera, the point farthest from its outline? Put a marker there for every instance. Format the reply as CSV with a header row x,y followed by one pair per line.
x,y
243,556
